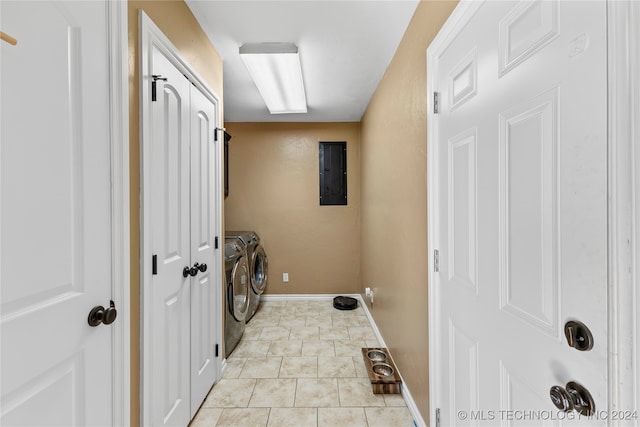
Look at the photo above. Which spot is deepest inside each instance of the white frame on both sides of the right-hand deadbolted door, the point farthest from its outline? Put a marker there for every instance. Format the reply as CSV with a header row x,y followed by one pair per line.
x,y
623,33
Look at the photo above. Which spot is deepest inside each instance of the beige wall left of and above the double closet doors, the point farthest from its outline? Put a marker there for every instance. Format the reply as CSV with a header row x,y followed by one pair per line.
x,y
177,22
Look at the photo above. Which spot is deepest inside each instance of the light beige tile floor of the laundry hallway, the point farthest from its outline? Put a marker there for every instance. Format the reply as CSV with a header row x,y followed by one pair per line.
x,y
300,364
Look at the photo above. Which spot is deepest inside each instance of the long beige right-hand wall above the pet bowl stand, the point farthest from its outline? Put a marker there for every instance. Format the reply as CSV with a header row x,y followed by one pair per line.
x,y
394,201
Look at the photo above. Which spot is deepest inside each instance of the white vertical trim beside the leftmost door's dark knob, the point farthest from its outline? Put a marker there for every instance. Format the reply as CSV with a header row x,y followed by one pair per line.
x,y
120,237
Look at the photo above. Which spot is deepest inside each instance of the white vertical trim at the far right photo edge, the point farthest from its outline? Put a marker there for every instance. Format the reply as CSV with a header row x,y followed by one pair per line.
x,y
624,146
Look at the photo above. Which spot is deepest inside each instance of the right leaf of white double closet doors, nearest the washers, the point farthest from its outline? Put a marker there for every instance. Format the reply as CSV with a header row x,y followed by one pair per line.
x,y
203,244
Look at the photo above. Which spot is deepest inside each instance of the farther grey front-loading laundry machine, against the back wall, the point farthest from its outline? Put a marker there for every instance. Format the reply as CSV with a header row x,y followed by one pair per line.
x,y
258,266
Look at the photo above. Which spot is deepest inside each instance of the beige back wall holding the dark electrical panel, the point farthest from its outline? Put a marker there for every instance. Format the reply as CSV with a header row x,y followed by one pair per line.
x,y
274,190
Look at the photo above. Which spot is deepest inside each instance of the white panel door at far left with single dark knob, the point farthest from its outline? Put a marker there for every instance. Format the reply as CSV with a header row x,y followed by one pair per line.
x,y
56,214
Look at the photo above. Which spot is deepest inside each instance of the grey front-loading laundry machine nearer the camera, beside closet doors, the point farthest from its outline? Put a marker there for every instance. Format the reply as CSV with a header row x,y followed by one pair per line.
x,y
236,293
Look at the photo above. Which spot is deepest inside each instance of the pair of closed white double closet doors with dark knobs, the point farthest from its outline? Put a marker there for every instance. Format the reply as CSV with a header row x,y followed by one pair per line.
x,y
183,216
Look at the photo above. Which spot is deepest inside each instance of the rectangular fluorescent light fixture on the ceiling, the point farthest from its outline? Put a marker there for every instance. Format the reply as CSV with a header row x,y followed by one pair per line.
x,y
275,69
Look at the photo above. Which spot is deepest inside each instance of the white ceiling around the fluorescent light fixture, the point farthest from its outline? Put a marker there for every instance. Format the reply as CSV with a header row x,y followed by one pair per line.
x,y
345,47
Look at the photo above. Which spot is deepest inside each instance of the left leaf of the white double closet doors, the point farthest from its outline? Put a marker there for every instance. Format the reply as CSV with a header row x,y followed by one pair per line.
x,y
169,329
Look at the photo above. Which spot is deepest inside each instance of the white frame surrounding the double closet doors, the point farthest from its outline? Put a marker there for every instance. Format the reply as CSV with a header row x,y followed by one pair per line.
x,y
152,37
